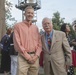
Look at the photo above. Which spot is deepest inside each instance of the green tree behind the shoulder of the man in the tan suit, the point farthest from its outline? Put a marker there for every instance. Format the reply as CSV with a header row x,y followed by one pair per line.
x,y
57,20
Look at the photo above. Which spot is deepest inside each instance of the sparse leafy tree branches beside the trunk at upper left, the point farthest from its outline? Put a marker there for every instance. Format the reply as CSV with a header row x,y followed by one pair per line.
x,y
8,15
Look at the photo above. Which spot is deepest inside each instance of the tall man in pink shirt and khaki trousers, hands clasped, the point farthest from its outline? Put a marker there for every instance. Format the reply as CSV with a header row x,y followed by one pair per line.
x,y
27,42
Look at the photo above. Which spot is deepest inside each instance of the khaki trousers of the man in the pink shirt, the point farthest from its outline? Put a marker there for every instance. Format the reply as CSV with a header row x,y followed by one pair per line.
x,y
24,68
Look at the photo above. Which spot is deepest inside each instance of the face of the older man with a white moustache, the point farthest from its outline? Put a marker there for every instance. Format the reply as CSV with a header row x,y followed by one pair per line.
x,y
47,25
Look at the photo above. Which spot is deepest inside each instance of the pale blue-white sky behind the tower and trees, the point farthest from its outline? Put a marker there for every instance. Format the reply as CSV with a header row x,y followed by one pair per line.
x,y
66,8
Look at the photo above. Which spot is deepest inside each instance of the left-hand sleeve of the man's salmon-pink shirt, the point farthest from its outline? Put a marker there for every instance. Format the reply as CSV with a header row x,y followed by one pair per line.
x,y
18,47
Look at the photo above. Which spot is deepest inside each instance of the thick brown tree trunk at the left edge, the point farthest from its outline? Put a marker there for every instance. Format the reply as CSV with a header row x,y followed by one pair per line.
x,y
2,18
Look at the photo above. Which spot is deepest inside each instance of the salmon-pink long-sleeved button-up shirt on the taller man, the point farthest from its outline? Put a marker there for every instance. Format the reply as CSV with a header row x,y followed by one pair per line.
x,y
27,38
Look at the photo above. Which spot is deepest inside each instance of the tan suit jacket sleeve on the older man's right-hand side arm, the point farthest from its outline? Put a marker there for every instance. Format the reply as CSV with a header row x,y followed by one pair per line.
x,y
66,48
